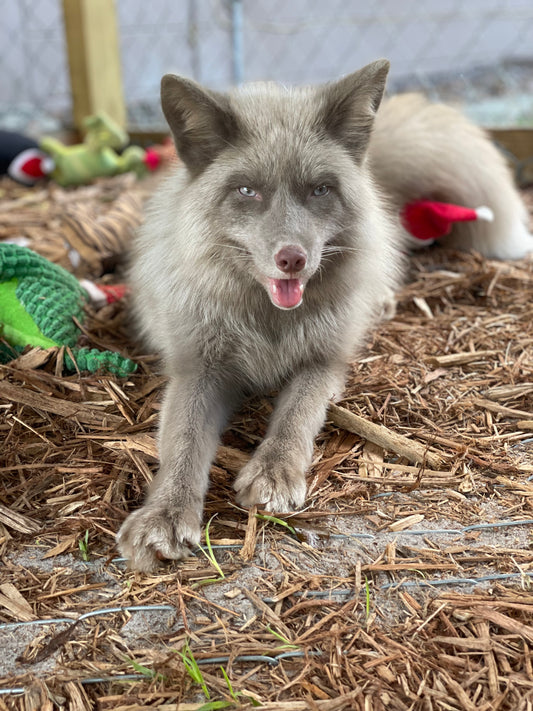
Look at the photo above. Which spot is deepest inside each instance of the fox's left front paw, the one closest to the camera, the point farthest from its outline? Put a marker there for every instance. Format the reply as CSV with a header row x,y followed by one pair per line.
x,y
155,533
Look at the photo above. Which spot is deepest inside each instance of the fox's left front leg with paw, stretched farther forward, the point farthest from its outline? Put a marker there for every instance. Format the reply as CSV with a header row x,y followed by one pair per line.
x,y
193,414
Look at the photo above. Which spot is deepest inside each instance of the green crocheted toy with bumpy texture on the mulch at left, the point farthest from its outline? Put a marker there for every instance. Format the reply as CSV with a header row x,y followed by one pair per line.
x,y
39,301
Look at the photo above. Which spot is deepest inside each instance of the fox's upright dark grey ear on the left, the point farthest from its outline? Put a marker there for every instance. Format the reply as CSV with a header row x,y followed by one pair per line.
x,y
201,121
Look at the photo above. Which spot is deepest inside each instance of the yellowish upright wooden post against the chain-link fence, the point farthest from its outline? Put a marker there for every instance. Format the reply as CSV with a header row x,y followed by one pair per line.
x,y
94,59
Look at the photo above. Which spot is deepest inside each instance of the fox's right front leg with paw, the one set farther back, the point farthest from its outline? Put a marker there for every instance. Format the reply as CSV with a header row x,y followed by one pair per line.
x,y
275,476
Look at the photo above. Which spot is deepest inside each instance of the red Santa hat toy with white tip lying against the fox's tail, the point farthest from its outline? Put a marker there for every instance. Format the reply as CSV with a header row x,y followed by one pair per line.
x,y
427,220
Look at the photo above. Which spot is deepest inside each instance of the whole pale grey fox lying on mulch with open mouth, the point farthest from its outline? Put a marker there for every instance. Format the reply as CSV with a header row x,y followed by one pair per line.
x,y
268,255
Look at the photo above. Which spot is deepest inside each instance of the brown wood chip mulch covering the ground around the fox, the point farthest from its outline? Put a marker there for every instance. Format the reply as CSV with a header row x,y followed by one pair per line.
x,y
406,583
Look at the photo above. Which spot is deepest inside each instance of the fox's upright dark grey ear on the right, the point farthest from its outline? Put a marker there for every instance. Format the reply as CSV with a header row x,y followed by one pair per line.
x,y
350,106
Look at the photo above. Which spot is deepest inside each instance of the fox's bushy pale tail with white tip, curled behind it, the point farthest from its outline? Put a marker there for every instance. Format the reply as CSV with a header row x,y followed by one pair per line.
x,y
421,150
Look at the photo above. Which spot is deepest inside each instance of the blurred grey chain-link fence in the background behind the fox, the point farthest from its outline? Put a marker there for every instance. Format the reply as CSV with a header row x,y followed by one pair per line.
x,y
478,52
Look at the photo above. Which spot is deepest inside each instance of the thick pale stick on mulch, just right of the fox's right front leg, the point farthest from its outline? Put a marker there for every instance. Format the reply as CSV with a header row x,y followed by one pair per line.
x,y
415,452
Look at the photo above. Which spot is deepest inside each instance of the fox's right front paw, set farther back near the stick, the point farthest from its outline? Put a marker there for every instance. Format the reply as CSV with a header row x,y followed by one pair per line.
x,y
274,482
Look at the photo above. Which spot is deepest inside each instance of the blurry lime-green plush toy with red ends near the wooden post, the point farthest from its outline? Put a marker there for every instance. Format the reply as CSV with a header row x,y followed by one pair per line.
x,y
27,161
